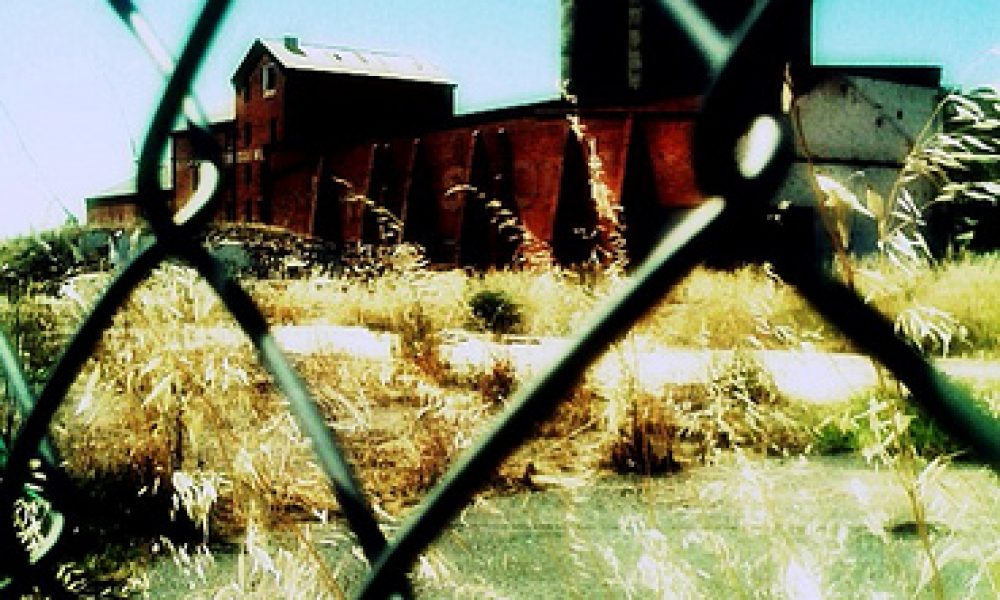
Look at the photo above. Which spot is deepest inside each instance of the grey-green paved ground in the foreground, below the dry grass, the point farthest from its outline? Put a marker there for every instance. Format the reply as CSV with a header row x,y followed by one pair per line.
x,y
753,528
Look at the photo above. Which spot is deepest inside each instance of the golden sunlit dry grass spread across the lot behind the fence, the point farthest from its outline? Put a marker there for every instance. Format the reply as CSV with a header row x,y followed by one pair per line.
x,y
164,426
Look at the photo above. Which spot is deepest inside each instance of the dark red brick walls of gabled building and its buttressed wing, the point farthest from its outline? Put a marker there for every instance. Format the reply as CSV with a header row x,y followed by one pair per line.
x,y
314,167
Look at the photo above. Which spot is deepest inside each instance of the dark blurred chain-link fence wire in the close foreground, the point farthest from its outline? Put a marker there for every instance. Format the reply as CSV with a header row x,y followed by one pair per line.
x,y
742,108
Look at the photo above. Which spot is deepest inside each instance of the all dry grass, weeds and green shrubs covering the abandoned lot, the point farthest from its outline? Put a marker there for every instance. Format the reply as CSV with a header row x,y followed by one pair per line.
x,y
179,441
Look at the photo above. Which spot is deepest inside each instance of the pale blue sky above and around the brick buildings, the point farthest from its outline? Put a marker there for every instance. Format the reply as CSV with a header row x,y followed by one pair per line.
x,y
76,93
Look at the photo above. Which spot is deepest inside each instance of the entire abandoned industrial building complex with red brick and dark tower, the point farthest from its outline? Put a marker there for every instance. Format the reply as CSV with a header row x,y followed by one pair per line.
x,y
363,147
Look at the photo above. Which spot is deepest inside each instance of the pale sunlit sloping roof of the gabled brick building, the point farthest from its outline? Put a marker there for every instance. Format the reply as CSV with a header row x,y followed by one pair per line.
x,y
290,54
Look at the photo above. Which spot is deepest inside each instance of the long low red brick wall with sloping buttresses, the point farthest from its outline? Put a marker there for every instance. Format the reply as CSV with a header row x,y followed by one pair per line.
x,y
441,185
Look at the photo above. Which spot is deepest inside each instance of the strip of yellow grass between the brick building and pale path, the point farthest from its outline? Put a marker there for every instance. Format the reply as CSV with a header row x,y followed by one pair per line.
x,y
747,307
